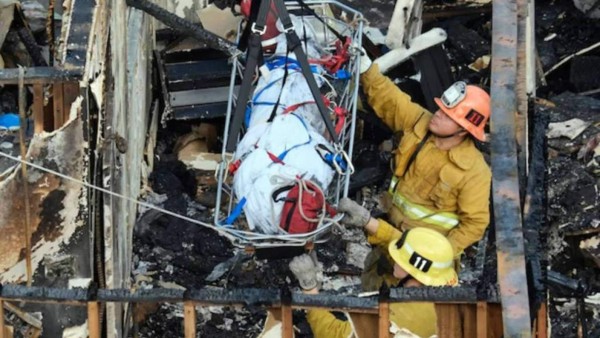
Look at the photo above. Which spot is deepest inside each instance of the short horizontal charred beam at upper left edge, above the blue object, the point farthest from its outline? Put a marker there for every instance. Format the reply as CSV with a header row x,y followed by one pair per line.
x,y
40,75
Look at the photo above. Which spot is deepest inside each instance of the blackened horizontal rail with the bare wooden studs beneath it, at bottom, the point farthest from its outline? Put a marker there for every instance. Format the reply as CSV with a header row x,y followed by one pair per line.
x,y
448,299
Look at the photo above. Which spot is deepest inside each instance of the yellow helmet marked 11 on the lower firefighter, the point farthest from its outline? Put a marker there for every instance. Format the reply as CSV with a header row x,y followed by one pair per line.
x,y
426,255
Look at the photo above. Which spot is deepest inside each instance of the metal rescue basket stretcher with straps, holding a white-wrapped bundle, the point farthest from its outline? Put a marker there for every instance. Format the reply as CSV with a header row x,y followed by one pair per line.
x,y
339,82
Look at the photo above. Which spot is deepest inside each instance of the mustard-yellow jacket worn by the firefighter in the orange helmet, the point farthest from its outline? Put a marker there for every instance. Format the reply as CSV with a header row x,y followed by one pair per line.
x,y
445,182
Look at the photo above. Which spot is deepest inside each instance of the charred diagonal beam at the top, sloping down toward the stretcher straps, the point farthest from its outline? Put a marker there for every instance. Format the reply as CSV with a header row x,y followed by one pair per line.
x,y
184,26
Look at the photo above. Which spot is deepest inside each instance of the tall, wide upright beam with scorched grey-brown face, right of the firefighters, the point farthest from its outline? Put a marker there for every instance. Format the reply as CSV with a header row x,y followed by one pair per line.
x,y
512,275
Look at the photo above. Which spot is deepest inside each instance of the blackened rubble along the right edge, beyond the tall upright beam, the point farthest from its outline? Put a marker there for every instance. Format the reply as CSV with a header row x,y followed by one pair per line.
x,y
572,227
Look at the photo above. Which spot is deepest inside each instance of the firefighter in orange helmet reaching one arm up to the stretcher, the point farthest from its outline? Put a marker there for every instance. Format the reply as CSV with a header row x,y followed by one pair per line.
x,y
441,180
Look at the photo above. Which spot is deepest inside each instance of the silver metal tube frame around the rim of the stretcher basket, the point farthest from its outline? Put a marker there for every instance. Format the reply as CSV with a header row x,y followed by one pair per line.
x,y
242,238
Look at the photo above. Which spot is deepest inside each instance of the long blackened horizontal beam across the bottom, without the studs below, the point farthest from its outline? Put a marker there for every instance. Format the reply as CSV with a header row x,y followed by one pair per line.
x,y
248,296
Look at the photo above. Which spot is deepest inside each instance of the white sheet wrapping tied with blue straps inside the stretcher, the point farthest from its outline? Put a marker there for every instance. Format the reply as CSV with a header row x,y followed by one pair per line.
x,y
273,154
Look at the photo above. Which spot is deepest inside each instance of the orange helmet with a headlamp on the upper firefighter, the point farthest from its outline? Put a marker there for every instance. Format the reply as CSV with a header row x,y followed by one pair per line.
x,y
467,105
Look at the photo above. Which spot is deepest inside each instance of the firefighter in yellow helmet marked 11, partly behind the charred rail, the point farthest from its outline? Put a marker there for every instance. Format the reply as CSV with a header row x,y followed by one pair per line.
x,y
421,256
